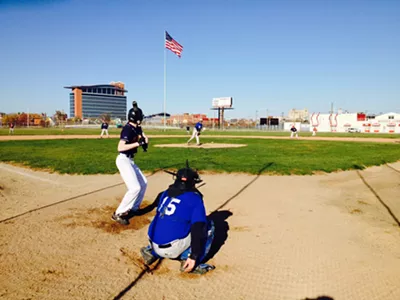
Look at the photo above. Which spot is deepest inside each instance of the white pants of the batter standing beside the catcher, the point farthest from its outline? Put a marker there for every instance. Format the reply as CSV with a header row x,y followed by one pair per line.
x,y
135,181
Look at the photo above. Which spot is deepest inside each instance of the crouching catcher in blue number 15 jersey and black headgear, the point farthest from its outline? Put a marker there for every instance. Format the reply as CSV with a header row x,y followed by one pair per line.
x,y
180,229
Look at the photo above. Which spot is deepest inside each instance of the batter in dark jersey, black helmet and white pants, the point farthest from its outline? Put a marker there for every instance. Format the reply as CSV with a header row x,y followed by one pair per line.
x,y
135,181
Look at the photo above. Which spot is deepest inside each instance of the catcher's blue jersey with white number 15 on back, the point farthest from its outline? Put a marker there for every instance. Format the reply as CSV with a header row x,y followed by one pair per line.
x,y
175,217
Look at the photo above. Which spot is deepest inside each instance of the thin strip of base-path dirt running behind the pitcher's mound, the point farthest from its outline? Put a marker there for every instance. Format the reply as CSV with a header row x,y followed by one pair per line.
x,y
316,138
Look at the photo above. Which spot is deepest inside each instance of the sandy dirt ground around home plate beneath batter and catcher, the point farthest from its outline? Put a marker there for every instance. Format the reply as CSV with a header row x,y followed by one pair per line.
x,y
277,237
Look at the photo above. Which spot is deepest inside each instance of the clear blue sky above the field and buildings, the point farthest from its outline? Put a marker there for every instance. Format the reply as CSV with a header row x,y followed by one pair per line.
x,y
274,55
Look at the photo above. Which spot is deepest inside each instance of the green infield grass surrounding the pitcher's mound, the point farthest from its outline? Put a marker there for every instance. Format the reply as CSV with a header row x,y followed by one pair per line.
x,y
95,156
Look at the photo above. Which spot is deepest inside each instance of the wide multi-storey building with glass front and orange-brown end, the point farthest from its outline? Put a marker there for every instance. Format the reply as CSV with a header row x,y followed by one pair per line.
x,y
91,101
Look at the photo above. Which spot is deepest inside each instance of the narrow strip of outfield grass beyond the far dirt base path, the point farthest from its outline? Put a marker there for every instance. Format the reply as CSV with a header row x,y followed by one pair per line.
x,y
91,131
